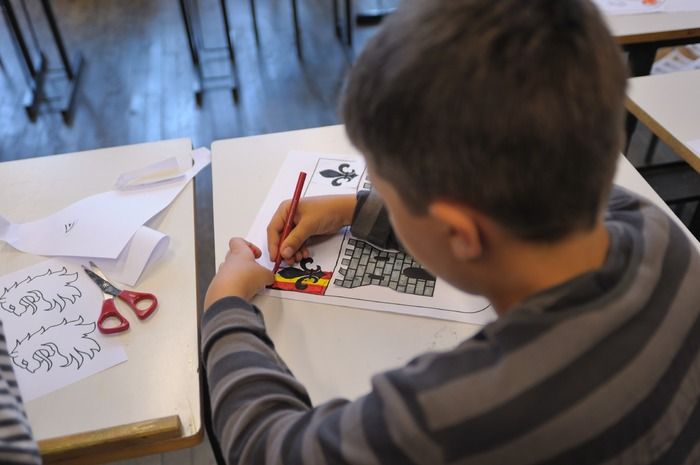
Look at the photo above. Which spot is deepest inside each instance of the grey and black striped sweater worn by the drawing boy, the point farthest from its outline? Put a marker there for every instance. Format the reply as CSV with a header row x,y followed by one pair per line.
x,y
603,369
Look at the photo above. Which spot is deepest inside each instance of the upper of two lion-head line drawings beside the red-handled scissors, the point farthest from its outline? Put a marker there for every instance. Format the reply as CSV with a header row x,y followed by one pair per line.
x,y
48,291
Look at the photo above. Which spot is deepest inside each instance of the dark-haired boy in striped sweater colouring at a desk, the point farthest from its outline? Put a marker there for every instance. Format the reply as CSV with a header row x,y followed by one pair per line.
x,y
491,130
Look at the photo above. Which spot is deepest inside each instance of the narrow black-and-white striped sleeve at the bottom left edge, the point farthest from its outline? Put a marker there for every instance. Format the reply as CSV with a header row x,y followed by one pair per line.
x,y
16,443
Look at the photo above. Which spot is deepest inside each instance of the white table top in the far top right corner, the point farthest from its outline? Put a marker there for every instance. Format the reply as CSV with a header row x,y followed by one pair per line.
x,y
641,28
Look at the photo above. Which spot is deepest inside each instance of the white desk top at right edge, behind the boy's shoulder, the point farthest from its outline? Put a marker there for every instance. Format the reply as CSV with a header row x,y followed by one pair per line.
x,y
669,104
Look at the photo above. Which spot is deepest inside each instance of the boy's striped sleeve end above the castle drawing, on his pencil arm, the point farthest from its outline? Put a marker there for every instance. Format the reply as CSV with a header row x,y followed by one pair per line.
x,y
370,221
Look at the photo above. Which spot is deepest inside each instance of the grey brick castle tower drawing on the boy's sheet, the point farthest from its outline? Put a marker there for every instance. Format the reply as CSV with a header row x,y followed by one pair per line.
x,y
364,265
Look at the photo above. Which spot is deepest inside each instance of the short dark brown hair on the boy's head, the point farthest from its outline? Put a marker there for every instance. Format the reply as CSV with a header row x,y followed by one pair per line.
x,y
513,107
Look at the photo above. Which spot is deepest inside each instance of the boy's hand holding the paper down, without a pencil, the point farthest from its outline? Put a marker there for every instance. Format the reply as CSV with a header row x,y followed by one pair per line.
x,y
239,275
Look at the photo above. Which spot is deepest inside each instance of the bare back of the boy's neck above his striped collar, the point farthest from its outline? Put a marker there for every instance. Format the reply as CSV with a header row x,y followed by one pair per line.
x,y
526,269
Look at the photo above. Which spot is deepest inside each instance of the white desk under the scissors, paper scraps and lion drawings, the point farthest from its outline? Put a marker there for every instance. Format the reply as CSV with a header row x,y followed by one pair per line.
x,y
135,404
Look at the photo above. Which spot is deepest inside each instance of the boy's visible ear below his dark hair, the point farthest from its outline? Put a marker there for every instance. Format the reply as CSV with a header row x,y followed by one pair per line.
x,y
465,237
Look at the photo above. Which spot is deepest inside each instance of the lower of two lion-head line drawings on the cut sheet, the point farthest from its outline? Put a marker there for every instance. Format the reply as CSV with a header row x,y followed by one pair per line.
x,y
65,343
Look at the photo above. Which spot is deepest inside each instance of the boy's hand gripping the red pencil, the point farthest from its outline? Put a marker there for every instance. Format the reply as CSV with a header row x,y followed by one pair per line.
x,y
314,216
